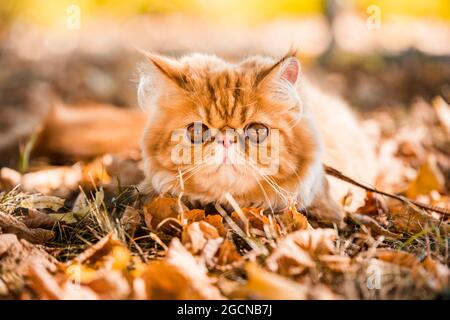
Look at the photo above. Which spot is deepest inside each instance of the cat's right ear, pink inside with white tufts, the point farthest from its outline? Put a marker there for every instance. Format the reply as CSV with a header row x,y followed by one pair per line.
x,y
281,79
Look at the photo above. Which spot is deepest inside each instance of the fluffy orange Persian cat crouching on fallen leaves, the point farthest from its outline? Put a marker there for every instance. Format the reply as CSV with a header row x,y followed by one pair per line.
x,y
206,115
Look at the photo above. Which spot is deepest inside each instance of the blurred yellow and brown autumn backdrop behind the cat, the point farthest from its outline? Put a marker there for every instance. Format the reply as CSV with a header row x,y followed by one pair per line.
x,y
378,55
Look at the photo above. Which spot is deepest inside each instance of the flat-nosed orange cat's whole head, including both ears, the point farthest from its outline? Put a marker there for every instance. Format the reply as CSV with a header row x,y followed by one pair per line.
x,y
216,127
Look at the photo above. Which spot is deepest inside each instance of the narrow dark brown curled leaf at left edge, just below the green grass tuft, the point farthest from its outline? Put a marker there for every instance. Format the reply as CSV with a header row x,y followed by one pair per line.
x,y
10,224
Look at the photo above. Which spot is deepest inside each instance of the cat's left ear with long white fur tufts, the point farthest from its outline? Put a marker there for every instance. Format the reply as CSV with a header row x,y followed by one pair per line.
x,y
159,76
